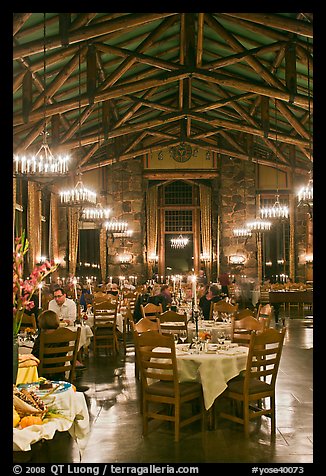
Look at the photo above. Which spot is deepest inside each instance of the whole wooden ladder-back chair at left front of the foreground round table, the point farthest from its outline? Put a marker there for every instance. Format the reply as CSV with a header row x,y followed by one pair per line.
x,y
160,384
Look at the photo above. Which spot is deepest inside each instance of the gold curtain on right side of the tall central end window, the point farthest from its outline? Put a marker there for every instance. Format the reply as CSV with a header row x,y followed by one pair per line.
x,y
205,195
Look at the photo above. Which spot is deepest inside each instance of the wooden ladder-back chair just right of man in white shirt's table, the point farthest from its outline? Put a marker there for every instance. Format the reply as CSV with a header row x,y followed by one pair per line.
x,y
105,326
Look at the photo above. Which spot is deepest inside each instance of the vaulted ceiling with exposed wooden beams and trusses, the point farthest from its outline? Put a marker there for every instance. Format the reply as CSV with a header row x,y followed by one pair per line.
x,y
113,86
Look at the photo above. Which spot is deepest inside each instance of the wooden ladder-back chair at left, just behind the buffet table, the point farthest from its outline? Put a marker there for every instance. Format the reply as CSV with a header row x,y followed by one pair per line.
x,y
58,353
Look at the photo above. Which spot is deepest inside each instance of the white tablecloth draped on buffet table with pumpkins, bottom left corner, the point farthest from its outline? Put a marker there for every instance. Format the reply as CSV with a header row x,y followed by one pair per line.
x,y
73,406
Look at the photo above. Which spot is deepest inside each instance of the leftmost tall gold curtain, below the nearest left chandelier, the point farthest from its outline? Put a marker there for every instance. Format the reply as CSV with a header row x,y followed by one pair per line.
x,y
34,224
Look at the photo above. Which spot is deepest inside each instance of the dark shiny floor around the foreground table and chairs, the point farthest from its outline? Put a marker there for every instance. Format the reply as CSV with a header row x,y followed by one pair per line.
x,y
116,428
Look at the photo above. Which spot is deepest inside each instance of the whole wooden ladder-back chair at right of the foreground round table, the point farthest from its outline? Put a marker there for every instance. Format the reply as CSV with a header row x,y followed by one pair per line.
x,y
258,380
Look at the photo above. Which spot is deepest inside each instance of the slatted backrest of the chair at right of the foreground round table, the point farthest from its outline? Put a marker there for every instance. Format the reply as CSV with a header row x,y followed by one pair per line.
x,y
265,350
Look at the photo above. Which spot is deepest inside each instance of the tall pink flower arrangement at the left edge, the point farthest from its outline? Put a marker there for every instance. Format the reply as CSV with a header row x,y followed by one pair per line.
x,y
23,290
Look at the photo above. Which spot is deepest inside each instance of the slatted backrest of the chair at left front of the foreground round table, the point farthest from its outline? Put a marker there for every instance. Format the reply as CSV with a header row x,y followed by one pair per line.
x,y
154,363
